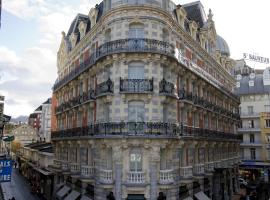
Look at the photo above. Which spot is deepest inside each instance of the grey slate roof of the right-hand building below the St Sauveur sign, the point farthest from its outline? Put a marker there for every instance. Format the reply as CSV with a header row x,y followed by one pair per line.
x,y
258,88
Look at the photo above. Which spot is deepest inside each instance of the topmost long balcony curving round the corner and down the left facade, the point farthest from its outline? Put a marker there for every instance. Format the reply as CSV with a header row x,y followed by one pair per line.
x,y
132,45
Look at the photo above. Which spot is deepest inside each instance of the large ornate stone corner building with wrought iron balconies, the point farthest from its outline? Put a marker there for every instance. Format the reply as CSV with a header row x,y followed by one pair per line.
x,y
144,104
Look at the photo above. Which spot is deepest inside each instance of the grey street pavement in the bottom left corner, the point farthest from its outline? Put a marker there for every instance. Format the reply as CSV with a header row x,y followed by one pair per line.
x,y
18,188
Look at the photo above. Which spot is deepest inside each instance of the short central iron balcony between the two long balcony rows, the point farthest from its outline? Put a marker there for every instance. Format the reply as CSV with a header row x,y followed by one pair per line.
x,y
136,85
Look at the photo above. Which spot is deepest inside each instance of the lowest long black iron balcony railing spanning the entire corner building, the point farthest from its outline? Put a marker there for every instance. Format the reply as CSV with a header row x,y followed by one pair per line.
x,y
144,129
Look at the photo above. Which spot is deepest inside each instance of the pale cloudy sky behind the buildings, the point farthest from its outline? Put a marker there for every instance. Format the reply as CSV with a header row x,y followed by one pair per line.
x,y
30,36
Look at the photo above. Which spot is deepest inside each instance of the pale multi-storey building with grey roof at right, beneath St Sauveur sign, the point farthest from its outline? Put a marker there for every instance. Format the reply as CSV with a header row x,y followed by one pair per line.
x,y
254,91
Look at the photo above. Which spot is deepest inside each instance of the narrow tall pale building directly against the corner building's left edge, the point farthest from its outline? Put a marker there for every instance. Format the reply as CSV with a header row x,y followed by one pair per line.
x,y
45,129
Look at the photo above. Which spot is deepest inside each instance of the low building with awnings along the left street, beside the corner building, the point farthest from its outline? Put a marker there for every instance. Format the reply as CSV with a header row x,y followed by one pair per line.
x,y
33,163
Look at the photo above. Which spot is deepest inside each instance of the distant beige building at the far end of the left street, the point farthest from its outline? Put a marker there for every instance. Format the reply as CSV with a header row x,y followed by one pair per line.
x,y
25,134
